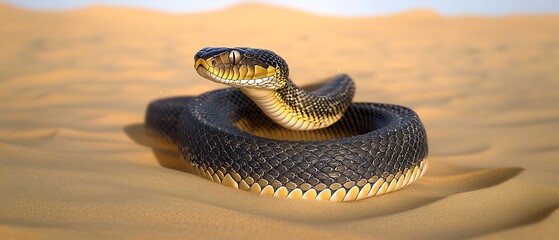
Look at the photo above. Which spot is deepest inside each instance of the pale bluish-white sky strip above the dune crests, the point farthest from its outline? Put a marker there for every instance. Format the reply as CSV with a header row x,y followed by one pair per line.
x,y
327,7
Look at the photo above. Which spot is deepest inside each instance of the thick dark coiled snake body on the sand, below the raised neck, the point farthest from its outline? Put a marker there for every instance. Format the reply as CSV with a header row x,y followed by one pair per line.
x,y
226,136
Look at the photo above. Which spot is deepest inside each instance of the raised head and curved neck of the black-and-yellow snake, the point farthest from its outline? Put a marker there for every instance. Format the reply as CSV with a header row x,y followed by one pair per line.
x,y
264,77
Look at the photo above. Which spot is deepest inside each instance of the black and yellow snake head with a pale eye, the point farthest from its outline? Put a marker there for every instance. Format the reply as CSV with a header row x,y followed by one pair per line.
x,y
242,67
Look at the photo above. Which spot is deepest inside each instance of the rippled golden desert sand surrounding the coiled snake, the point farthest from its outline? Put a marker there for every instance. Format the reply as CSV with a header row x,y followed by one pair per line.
x,y
75,161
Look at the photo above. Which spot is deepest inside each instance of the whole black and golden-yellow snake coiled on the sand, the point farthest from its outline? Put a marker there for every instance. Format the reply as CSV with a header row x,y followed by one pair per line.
x,y
266,135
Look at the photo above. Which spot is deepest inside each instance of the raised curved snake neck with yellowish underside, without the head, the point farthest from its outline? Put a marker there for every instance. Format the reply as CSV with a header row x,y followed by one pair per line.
x,y
296,109
